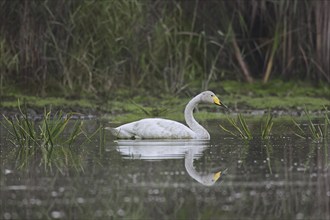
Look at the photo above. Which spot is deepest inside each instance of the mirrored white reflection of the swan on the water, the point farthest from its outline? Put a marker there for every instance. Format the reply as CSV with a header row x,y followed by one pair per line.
x,y
170,149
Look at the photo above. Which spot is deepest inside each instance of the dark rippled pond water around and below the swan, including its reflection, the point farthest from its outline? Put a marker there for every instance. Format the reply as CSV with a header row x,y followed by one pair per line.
x,y
284,177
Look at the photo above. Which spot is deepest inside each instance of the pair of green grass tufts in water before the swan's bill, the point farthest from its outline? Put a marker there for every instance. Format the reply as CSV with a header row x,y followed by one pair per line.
x,y
241,129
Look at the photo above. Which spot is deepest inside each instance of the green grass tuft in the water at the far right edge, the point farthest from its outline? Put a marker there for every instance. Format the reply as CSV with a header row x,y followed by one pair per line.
x,y
317,132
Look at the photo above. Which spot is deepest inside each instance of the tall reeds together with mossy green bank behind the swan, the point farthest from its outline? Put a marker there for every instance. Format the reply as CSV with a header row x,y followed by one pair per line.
x,y
131,59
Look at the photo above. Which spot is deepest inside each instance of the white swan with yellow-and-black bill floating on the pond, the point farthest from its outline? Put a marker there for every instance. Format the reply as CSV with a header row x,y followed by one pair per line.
x,y
157,128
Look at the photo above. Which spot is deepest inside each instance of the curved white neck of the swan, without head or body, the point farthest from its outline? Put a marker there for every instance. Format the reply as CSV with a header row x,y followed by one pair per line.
x,y
191,122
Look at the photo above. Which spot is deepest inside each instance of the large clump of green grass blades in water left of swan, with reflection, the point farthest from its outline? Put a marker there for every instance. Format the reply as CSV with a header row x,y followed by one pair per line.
x,y
48,143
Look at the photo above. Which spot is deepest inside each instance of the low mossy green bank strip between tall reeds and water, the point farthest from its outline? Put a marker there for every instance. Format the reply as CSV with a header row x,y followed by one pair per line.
x,y
278,97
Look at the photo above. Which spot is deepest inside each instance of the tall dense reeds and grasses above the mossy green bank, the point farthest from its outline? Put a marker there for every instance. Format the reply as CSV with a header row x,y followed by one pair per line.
x,y
72,47
